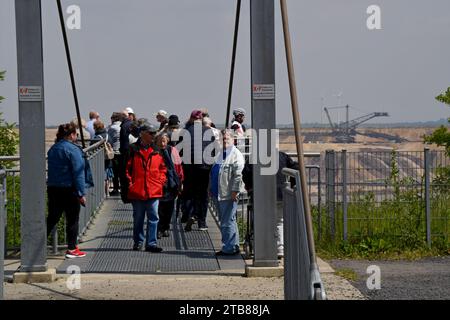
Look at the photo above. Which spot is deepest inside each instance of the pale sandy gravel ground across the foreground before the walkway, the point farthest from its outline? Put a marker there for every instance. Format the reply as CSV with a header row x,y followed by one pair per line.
x,y
160,287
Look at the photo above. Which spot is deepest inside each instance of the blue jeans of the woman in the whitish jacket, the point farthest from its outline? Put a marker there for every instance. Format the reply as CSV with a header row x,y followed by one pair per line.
x,y
228,225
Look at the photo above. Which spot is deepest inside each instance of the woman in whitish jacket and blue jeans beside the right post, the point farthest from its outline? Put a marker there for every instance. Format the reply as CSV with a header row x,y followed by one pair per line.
x,y
224,186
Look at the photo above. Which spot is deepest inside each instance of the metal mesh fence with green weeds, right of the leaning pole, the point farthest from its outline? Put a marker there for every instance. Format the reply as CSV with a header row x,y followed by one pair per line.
x,y
387,193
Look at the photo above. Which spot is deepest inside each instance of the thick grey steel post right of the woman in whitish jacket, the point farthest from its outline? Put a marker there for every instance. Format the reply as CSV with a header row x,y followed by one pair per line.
x,y
263,117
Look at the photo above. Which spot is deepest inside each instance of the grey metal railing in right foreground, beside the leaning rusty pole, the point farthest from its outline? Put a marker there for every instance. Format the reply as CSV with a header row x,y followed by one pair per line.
x,y
301,273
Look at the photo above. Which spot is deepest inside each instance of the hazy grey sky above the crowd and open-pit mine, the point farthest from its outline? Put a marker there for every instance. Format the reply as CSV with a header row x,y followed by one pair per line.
x,y
175,55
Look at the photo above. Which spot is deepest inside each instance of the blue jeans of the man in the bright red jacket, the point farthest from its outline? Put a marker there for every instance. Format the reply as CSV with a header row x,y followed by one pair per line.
x,y
140,208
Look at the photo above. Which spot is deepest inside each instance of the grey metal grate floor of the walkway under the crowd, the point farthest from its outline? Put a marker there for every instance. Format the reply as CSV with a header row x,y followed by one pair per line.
x,y
191,251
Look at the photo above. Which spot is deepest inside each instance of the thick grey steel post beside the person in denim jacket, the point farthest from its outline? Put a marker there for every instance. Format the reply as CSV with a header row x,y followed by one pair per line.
x,y
32,135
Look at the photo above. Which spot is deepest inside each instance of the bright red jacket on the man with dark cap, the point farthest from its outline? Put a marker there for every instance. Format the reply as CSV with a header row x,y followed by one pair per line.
x,y
146,174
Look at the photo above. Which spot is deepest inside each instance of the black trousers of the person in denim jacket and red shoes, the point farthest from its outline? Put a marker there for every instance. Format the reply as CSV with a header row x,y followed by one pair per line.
x,y
63,200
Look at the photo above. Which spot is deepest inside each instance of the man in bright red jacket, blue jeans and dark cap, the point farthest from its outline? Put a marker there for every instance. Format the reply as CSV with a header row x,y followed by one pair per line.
x,y
146,175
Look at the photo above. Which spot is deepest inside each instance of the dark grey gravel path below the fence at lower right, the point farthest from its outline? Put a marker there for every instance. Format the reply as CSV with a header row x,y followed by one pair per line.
x,y
422,279
